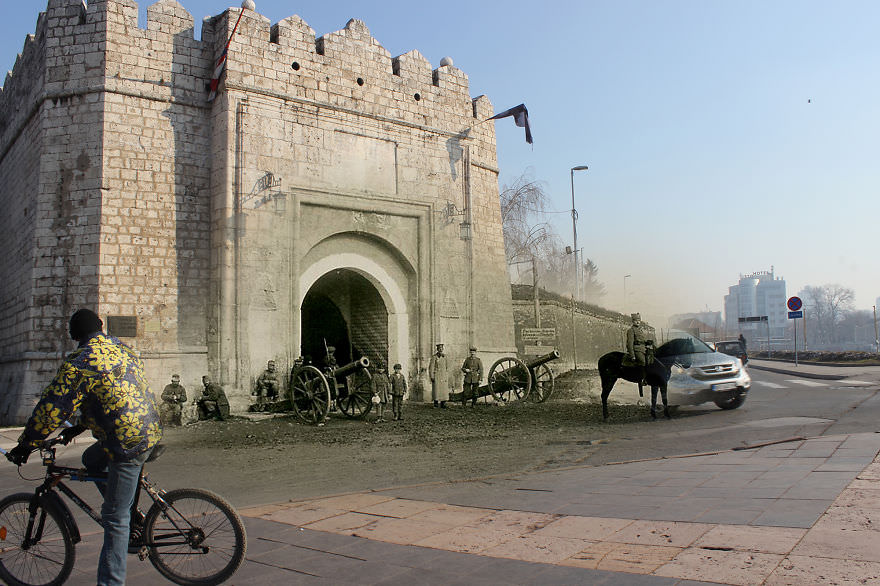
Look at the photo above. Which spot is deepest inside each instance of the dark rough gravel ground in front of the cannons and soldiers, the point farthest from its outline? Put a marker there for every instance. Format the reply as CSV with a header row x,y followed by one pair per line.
x,y
292,460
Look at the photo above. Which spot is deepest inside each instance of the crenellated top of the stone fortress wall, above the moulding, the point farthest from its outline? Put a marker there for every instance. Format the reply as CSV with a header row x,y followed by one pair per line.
x,y
100,46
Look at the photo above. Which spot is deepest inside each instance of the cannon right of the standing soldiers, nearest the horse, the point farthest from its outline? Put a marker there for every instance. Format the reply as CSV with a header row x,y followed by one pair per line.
x,y
512,379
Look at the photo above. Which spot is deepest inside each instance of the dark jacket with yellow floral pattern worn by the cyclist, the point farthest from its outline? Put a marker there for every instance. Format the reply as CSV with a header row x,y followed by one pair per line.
x,y
104,379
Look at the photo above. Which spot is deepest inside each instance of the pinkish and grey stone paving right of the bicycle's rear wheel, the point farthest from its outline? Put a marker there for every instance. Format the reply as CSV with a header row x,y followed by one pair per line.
x,y
773,538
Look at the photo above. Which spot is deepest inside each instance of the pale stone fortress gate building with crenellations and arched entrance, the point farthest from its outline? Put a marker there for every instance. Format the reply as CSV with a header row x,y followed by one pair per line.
x,y
330,192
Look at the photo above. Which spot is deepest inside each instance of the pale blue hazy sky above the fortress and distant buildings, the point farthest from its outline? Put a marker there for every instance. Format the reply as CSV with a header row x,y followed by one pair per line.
x,y
722,138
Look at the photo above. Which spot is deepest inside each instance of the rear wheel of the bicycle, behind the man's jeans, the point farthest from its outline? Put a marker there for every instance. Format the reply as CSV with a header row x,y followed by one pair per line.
x,y
195,537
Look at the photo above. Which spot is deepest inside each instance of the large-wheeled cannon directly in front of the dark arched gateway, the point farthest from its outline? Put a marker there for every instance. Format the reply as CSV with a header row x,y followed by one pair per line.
x,y
312,391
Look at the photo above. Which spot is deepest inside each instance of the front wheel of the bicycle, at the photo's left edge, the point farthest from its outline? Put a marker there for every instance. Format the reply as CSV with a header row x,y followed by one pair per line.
x,y
34,550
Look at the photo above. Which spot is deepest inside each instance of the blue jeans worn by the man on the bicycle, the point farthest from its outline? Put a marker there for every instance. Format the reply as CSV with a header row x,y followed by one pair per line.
x,y
119,492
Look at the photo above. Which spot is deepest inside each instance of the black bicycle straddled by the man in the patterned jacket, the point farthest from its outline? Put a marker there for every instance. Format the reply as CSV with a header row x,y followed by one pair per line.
x,y
191,536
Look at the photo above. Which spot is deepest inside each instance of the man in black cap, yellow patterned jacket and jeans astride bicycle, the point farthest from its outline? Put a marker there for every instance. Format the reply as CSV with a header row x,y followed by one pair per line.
x,y
103,379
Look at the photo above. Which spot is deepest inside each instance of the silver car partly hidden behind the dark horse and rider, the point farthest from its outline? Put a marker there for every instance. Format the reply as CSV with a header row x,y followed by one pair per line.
x,y
700,374
